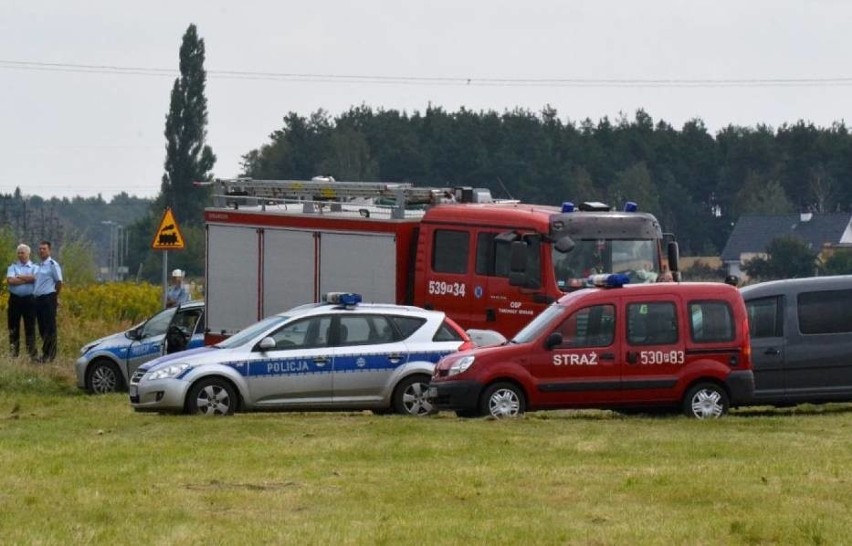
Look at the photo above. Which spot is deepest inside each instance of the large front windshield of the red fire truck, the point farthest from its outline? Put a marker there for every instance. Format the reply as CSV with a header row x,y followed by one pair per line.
x,y
637,258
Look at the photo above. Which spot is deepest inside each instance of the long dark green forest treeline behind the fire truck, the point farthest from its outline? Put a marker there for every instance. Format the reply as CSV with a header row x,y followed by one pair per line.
x,y
697,183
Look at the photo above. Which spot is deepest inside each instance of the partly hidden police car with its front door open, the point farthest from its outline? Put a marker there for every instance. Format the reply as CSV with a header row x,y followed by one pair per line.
x,y
106,364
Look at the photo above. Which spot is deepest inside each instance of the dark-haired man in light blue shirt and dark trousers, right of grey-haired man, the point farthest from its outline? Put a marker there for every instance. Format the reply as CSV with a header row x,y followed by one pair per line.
x,y
48,284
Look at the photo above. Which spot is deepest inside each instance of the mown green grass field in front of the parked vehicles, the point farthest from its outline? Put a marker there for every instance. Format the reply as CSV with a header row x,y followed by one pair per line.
x,y
87,470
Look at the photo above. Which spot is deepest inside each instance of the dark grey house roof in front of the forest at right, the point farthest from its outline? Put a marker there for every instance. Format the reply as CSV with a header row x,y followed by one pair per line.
x,y
753,233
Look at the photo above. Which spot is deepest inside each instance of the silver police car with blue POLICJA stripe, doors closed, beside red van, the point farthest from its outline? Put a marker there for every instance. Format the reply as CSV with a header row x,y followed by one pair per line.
x,y
339,355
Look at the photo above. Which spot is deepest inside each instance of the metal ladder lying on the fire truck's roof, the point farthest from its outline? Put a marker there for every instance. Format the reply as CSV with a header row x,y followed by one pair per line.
x,y
317,193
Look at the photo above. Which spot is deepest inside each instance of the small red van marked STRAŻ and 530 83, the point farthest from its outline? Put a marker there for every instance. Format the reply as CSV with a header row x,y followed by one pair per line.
x,y
619,346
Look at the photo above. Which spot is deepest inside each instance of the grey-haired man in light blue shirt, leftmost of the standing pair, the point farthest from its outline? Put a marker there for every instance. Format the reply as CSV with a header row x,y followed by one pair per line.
x,y
20,277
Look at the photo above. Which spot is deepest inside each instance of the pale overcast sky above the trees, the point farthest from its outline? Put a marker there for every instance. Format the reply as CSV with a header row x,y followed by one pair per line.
x,y
84,85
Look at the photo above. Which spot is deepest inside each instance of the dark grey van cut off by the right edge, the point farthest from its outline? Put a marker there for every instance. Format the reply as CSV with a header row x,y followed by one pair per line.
x,y
801,340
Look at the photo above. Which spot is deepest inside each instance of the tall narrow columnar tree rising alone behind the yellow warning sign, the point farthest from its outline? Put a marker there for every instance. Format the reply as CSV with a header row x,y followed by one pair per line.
x,y
188,158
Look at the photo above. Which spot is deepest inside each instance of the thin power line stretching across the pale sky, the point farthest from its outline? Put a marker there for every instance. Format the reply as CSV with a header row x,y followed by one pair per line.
x,y
436,80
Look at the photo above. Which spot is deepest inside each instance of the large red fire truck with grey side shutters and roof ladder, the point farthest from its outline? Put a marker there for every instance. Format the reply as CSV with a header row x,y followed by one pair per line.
x,y
489,264
